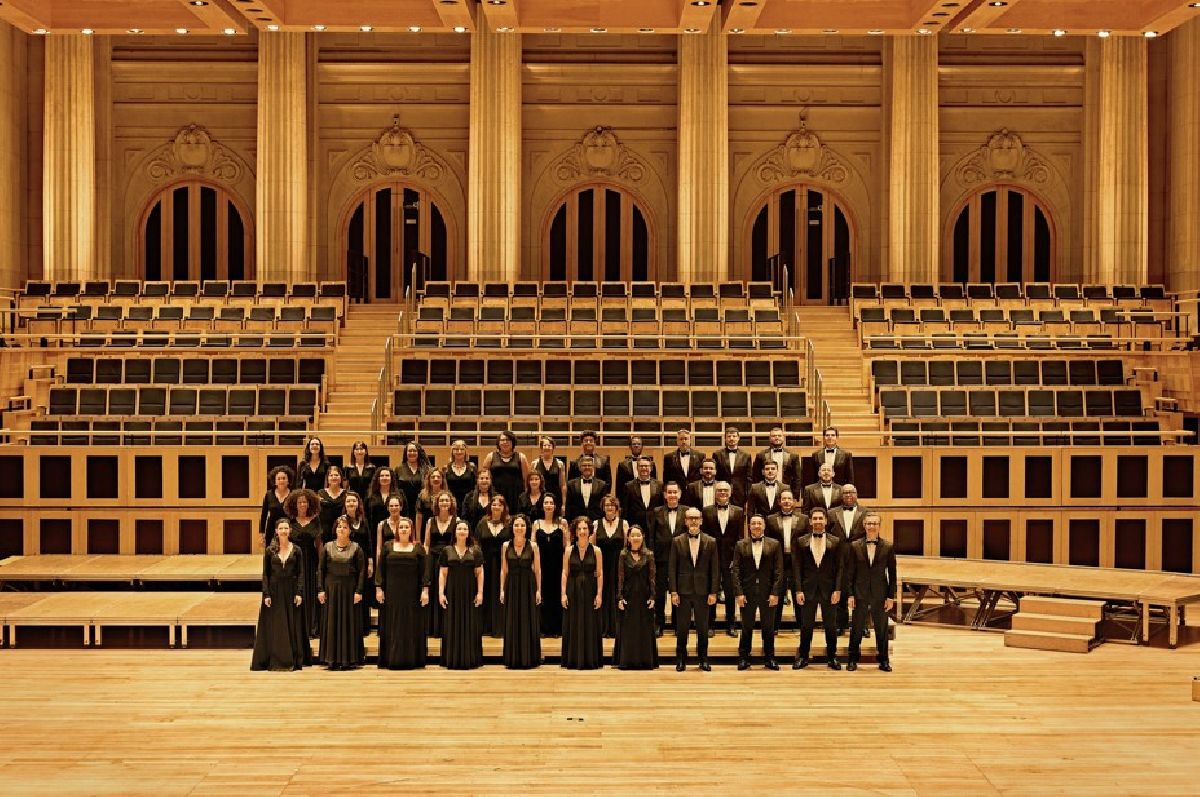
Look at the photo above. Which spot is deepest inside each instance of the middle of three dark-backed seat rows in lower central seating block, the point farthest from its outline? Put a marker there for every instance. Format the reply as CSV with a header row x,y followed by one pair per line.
x,y
637,403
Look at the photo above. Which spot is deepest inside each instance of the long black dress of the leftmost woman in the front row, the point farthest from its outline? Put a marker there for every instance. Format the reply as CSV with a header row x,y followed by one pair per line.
x,y
283,639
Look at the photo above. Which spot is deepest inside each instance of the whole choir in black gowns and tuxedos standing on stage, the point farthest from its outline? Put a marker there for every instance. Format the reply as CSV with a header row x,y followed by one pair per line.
x,y
525,549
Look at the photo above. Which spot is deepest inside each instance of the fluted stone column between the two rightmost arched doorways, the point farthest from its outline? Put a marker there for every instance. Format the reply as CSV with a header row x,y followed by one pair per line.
x,y
914,184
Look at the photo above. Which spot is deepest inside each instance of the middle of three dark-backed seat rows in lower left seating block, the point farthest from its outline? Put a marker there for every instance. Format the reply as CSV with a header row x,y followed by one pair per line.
x,y
243,402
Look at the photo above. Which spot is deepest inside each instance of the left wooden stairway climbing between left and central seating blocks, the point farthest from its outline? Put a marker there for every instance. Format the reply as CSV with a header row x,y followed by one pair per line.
x,y
356,375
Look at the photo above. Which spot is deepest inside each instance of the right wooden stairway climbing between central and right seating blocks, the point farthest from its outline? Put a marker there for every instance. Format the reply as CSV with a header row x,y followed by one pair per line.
x,y
844,373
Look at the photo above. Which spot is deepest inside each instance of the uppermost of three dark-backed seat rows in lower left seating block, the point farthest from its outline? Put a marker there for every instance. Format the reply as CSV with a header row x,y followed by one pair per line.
x,y
195,371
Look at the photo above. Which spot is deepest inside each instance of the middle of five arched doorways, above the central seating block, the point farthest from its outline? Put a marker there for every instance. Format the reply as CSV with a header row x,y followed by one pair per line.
x,y
599,233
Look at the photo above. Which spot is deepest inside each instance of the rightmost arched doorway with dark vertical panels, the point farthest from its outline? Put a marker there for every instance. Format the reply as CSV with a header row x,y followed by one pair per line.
x,y
1000,235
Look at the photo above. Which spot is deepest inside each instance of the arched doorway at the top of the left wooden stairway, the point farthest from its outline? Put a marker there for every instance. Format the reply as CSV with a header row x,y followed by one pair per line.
x,y
391,229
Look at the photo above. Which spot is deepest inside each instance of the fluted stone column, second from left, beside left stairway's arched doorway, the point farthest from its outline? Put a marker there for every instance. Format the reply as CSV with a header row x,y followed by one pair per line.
x,y
283,170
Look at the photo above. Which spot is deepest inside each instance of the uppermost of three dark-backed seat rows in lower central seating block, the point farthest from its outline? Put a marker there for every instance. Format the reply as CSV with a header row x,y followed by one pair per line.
x,y
615,371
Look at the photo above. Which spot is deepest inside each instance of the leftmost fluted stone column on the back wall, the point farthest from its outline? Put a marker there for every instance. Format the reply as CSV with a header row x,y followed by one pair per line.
x,y
69,172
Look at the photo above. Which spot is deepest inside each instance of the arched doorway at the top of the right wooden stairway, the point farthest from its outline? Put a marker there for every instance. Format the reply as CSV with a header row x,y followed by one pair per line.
x,y
809,231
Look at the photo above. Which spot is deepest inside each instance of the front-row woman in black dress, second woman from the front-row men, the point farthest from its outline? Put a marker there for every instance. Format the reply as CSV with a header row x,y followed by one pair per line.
x,y
583,590
